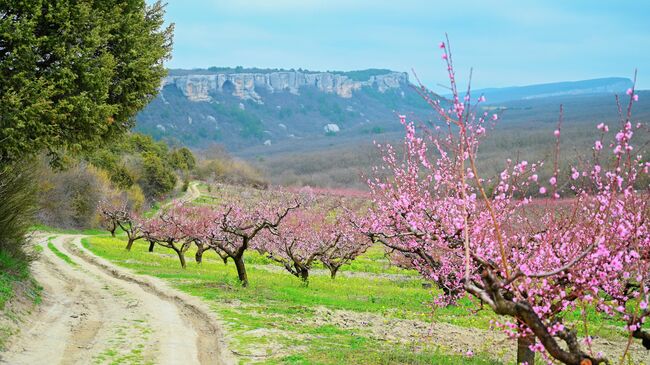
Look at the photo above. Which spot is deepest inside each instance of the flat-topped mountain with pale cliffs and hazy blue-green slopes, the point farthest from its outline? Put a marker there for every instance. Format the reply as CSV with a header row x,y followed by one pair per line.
x,y
270,108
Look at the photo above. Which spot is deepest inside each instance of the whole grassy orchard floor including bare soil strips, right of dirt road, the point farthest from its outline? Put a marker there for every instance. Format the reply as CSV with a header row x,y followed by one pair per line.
x,y
372,313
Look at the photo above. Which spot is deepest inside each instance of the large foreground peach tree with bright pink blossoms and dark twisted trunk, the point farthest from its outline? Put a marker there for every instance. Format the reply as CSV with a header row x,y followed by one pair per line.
x,y
529,261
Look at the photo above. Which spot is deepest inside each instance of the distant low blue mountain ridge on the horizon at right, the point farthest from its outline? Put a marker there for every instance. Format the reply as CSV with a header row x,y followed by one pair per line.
x,y
610,85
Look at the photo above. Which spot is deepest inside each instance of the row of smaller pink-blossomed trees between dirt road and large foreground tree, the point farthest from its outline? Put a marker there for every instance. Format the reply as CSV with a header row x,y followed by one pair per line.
x,y
293,232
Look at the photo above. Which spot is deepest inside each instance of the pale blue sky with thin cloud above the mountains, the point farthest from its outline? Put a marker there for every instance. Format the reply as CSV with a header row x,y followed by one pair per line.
x,y
506,43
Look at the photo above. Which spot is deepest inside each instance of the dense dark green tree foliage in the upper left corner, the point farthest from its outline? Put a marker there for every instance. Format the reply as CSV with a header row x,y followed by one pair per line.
x,y
75,73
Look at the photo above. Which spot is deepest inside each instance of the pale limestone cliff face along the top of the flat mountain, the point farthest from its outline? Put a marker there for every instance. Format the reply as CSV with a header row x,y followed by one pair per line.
x,y
197,87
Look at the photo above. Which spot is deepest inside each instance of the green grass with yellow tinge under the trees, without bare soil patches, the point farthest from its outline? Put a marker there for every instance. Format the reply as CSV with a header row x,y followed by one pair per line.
x,y
291,313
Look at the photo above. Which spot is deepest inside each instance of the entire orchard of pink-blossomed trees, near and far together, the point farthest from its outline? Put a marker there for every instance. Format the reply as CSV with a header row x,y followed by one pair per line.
x,y
528,248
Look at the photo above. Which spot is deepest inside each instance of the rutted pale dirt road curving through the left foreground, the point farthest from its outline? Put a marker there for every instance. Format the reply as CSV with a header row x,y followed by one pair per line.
x,y
94,312
